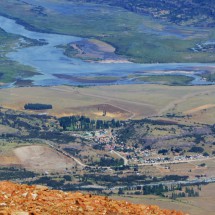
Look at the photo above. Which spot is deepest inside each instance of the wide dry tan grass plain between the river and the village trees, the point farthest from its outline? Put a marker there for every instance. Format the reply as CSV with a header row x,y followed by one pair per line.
x,y
122,101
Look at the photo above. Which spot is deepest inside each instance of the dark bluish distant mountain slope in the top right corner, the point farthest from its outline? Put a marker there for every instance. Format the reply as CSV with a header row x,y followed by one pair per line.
x,y
183,12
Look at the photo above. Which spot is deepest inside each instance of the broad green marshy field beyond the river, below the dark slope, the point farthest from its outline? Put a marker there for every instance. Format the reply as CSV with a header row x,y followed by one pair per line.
x,y
118,27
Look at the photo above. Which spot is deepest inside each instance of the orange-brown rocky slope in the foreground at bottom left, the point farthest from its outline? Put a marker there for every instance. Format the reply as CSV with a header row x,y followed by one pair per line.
x,y
34,200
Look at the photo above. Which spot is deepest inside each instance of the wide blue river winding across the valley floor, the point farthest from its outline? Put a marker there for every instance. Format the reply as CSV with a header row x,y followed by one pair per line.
x,y
49,60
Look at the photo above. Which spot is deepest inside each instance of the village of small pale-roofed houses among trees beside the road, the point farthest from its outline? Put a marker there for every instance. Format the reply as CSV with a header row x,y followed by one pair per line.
x,y
107,139
